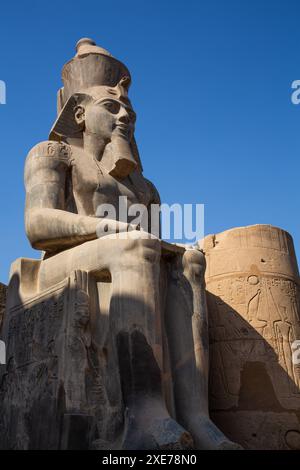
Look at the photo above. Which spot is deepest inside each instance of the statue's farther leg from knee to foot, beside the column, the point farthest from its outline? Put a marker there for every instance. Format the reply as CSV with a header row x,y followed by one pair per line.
x,y
187,331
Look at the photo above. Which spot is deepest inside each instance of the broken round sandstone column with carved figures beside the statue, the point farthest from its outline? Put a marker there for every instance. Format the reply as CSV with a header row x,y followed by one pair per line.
x,y
254,317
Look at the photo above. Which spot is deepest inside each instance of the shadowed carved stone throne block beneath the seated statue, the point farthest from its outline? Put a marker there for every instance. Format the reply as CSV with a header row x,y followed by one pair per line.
x,y
43,399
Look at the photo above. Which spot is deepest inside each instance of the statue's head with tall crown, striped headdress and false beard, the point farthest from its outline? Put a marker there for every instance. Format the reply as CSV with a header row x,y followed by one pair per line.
x,y
94,100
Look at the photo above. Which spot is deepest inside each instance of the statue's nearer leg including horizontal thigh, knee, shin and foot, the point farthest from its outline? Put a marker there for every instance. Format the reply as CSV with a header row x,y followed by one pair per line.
x,y
134,333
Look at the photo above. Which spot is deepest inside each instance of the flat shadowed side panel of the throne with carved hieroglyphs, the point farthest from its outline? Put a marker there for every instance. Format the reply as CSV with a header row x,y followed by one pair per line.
x,y
29,388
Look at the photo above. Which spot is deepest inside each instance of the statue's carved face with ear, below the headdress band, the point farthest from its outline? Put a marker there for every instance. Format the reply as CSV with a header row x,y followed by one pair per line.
x,y
106,117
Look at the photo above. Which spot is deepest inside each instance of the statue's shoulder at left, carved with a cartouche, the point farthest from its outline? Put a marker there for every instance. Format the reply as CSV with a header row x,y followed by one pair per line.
x,y
51,150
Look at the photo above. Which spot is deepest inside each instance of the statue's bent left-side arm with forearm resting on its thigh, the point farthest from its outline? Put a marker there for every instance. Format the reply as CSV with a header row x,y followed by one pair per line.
x,y
49,226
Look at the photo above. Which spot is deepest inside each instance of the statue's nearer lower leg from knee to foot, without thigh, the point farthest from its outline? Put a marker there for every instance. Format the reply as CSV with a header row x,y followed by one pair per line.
x,y
135,319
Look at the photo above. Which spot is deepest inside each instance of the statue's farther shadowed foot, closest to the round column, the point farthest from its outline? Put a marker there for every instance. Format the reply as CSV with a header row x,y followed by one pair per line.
x,y
207,435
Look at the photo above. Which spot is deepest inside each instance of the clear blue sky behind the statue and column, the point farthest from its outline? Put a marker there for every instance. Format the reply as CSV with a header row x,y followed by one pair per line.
x,y
211,87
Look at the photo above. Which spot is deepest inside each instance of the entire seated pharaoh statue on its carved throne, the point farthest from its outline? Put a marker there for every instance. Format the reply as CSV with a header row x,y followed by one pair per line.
x,y
107,334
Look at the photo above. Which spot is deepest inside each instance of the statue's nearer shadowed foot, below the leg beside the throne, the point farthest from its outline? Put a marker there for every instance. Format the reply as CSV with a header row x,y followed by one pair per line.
x,y
156,433
